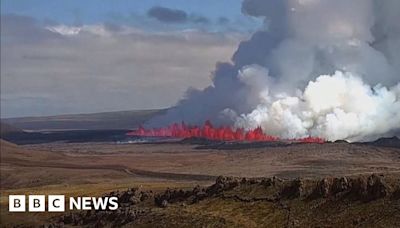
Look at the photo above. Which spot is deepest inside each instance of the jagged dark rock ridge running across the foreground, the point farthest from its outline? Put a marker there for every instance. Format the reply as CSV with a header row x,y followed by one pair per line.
x,y
134,202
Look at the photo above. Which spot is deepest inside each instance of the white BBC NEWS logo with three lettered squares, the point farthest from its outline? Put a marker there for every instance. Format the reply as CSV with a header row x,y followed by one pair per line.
x,y
56,203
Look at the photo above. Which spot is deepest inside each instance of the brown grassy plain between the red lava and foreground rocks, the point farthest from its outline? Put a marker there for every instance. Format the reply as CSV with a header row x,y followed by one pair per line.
x,y
94,169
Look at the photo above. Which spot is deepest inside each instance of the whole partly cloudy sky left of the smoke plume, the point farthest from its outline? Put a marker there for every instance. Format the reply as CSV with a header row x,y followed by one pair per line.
x,y
83,56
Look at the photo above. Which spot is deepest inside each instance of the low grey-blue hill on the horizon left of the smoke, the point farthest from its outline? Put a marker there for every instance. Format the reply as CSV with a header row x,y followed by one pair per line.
x,y
92,121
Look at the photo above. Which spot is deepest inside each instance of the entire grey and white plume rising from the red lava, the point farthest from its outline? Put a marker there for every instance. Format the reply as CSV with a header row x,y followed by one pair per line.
x,y
317,67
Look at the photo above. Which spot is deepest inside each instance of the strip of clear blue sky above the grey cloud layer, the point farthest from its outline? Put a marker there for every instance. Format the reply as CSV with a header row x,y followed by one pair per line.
x,y
131,12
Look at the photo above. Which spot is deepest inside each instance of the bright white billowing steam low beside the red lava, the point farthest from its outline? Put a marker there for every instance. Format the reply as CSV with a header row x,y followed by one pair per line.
x,y
334,107
